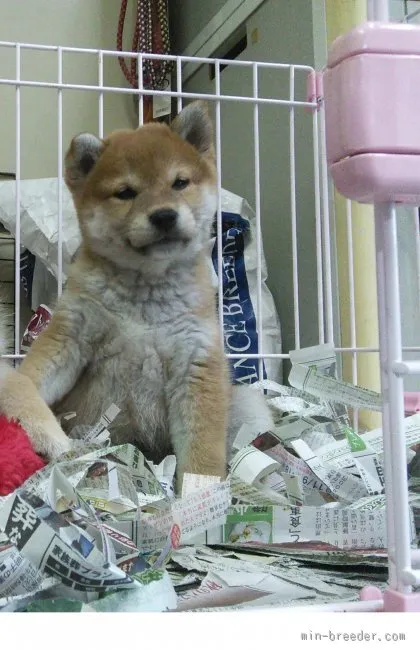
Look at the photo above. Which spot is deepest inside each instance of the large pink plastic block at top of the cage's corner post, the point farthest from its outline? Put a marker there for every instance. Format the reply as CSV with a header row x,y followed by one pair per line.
x,y
372,104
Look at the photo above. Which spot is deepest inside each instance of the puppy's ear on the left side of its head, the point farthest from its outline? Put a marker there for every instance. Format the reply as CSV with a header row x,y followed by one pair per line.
x,y
81,157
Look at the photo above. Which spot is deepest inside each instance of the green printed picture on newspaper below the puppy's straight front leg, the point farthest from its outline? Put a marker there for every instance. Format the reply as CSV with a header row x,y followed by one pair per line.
x,y
248,524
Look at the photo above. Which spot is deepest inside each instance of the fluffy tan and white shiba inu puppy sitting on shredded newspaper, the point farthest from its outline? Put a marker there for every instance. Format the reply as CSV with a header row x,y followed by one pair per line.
x,y
136,324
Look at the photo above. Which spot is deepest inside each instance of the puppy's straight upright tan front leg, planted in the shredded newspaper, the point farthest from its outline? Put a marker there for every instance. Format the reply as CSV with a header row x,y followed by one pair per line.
x,y
198,418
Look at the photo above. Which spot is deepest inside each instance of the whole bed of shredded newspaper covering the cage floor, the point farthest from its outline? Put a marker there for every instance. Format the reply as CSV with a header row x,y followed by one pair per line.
x,y
300,519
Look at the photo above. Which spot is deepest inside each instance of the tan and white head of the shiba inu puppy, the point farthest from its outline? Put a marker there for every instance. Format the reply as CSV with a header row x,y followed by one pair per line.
x,y
146,199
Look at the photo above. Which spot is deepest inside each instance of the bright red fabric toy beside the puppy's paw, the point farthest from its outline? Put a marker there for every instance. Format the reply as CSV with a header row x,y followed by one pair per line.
x,y
18,460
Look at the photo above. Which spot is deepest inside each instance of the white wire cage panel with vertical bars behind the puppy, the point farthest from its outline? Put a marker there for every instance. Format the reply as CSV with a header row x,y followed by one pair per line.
x,y
293,102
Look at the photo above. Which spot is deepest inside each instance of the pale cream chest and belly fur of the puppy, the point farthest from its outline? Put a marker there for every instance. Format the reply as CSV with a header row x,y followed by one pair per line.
x,y
144,342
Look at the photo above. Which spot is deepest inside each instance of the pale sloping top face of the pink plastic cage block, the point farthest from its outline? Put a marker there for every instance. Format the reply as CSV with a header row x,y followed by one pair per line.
x,y
375,38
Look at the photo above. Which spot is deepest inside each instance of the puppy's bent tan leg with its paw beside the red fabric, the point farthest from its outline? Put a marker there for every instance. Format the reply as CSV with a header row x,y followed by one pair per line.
x,y
47,373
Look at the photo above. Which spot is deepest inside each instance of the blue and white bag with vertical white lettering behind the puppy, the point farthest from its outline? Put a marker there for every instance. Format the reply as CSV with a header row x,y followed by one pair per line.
x,y
240,281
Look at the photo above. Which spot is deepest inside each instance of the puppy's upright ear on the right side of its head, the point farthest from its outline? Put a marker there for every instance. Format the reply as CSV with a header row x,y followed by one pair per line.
x,y
194,125
